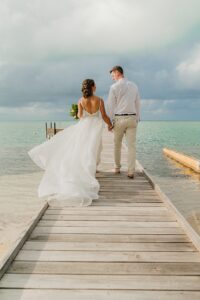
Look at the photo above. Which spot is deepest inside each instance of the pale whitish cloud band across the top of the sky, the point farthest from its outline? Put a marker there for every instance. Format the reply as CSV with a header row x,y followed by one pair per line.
x,y
43,30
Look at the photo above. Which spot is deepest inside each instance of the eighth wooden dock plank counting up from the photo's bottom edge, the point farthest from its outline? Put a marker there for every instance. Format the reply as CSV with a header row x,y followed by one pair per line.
x,y
60,223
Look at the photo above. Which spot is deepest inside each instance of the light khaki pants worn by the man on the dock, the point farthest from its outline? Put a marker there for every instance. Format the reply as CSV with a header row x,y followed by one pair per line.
x,y
125,125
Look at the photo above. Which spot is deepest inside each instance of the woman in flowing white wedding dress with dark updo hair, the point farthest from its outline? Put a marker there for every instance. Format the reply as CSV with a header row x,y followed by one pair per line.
x,y
71,156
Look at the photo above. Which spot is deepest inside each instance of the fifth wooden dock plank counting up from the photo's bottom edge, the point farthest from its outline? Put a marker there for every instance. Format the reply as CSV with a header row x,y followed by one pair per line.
x,y
30,245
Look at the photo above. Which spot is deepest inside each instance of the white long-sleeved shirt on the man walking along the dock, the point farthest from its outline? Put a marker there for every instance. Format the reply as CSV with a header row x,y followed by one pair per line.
x,y
123,98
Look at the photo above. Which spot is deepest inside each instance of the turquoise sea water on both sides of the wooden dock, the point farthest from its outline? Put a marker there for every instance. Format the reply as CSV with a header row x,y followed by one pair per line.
x,y
180,184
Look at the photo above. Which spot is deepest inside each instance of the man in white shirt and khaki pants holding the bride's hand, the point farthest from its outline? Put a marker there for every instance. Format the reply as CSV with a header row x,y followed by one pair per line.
x,y
123,108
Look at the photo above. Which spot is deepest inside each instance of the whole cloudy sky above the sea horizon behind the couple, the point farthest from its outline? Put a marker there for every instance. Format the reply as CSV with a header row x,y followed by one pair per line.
x,y
49,47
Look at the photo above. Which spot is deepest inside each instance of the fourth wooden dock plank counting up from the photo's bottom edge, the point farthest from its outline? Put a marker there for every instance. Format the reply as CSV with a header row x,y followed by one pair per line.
x,y
108,256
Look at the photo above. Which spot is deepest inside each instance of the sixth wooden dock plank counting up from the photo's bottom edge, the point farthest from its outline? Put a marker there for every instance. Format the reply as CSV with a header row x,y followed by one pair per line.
x,y
114,238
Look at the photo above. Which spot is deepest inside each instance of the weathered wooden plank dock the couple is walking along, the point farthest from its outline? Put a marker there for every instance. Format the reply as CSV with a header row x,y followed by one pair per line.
x,y
128,245
